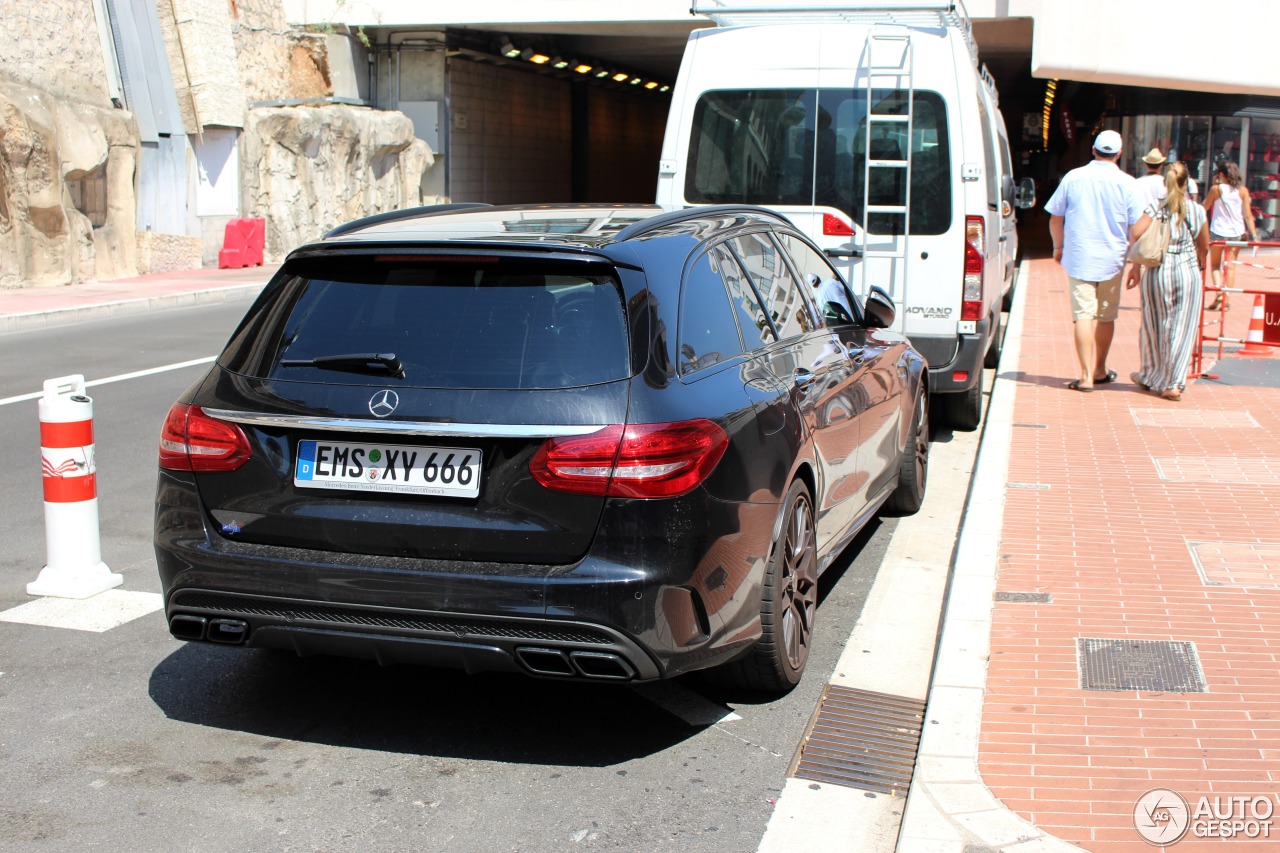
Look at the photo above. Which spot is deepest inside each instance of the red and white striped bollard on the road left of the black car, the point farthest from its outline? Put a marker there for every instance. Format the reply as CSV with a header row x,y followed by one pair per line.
x,y
72,544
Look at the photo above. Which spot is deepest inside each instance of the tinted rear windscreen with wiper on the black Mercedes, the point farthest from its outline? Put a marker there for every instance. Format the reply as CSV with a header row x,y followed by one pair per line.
x,y
468,323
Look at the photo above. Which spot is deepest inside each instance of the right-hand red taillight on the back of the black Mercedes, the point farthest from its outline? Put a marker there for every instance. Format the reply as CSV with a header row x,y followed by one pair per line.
x,y
642,462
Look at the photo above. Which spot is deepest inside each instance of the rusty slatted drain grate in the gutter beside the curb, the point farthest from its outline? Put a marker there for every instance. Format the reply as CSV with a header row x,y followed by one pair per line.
x,y
862,740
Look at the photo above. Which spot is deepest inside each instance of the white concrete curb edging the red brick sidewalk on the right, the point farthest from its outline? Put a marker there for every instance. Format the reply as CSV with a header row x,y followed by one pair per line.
x,y
949,808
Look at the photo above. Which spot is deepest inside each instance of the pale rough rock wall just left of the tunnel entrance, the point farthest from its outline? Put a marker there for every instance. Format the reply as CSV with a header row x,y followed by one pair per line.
x,y
308,170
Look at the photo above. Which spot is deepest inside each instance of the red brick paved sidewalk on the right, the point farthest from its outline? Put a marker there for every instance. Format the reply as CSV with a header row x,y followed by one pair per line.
x,y
1145,521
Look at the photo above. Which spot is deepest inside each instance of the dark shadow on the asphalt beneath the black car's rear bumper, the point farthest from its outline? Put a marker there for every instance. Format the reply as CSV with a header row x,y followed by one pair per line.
x,y
412,710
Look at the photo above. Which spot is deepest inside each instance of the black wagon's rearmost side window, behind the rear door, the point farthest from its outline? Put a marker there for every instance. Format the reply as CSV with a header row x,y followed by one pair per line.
x,y
708,334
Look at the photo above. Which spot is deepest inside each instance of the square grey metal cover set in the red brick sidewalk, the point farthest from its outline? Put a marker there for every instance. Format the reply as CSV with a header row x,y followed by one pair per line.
x,y
1154,667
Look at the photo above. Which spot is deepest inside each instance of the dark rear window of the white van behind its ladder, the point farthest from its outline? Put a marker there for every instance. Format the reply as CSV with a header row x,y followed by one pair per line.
x,y
810,148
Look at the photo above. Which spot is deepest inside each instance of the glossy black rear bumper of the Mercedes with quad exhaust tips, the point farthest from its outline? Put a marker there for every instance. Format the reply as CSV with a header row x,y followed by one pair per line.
x,y
636,609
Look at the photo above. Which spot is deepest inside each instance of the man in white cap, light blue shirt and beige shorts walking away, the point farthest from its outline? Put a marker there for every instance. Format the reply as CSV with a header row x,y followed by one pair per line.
x,y
1090,217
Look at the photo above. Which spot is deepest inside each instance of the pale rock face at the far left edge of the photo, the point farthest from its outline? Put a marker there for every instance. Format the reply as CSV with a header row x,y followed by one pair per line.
x,y
48,145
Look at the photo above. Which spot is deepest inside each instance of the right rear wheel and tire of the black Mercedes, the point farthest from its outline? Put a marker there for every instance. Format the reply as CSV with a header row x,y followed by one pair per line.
x,y
789,605
